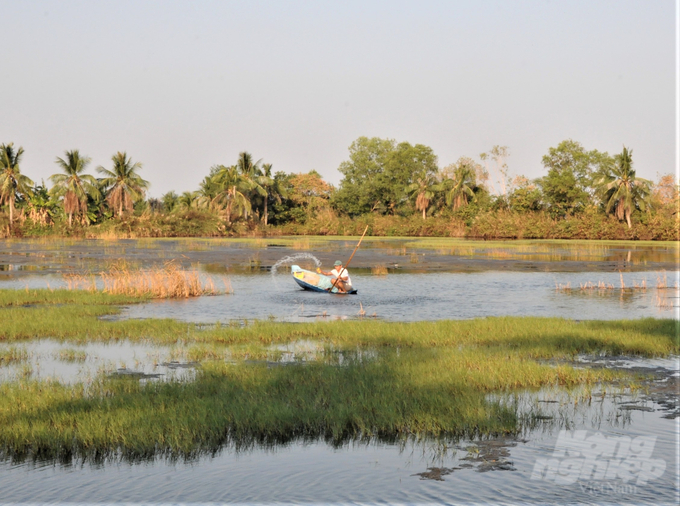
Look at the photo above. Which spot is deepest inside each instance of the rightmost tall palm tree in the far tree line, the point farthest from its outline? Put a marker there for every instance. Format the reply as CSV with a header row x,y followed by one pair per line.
x,y
621,191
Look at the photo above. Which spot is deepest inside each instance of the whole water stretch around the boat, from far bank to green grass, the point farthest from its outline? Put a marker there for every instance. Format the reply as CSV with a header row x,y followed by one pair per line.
x,y
453,279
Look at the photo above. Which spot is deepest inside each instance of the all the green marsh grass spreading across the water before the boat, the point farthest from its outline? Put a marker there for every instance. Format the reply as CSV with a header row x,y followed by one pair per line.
x,y
365,379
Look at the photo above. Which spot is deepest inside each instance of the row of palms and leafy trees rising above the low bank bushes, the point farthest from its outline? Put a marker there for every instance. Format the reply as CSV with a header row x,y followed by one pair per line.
x,y
380,178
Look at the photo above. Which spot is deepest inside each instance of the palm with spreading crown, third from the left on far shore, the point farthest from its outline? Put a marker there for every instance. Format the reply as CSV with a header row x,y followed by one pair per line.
x,y
124,185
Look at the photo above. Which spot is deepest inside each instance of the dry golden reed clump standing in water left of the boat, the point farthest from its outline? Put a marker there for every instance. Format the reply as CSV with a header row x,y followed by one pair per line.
x,y
167,282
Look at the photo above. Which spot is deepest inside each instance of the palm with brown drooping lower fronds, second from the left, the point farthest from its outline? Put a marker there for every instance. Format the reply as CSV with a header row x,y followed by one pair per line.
x,y
73,185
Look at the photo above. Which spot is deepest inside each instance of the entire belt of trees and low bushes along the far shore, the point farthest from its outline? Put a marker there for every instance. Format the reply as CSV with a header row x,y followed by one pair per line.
x,y
394,188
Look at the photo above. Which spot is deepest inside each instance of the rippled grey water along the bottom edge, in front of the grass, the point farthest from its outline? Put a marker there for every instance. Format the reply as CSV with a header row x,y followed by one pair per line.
x,y
507,469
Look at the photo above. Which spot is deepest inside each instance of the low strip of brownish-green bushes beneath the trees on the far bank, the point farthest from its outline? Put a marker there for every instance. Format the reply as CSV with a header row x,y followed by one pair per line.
x,y
589,225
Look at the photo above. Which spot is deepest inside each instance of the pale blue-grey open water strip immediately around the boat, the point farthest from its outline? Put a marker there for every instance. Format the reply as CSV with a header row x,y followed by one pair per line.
x,y
429,296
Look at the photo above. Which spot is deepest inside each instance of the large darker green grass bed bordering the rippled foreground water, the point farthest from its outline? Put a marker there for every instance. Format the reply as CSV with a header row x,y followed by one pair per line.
x,y
421,392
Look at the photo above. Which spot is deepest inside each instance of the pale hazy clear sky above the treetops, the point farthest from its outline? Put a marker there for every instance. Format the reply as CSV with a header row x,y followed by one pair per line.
x,y
182,86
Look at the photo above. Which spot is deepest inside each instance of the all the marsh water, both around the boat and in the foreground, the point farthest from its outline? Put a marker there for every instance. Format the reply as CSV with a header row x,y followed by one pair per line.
x,y
447,280
